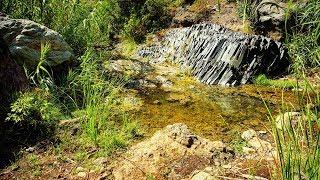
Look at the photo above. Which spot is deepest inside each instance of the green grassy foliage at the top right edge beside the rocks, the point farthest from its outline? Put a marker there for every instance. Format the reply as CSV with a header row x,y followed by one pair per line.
x,y
303,39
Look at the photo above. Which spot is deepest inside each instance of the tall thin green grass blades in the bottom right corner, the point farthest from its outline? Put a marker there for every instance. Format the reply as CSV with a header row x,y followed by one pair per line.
x,y
298,142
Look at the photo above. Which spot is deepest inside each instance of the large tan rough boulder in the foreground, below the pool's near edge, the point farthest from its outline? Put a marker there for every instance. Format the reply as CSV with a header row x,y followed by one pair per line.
x,y
172,153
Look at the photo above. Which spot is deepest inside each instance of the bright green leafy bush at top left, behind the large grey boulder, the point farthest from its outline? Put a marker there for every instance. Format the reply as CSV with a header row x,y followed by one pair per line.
x,y
80,22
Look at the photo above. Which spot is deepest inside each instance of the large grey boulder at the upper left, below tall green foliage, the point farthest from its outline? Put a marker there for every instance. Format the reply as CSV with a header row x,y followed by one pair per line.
x,y
24,38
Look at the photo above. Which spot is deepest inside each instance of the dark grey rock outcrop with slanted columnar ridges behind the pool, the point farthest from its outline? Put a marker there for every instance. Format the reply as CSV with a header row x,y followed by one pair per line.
x,y
217,55
